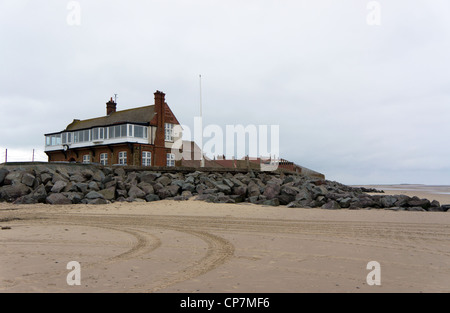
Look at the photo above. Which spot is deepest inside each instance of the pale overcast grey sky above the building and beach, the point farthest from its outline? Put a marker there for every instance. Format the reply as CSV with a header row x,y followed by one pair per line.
x,y
360,89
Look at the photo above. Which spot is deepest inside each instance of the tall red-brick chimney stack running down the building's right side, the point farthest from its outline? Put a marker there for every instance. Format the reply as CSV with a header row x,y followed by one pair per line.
x,y
160,157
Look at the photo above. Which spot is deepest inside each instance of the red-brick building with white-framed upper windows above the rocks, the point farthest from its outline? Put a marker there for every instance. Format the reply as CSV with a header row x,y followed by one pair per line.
x,y
141,136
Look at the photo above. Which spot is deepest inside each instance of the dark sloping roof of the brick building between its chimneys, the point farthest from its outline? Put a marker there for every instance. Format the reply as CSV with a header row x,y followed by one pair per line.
x,y
142,115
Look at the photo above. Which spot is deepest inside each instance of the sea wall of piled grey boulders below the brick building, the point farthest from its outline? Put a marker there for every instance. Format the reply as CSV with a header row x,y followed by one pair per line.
x,y
55,183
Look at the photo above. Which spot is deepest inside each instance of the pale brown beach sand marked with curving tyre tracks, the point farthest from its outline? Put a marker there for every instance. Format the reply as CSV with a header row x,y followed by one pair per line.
x,y
194,246
